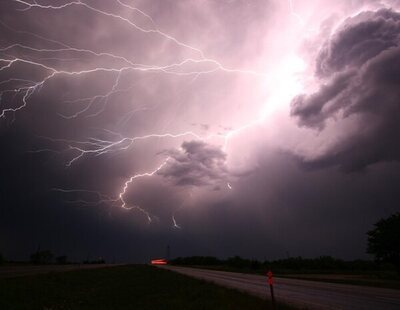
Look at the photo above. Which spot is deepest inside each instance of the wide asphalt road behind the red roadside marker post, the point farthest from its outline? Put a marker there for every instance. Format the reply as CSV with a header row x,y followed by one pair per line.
x,y
301,293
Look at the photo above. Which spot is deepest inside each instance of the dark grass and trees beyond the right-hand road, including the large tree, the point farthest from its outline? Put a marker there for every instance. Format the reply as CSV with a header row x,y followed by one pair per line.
x,y
384,271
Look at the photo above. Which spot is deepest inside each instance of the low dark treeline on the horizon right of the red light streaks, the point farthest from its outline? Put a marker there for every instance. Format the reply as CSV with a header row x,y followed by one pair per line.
x,y
296,264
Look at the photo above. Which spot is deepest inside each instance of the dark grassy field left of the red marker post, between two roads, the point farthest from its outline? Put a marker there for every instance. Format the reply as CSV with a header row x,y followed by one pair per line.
x,y
123,287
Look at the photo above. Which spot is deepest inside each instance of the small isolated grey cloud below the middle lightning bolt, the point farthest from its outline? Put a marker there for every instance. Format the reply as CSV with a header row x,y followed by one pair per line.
x,y
196,163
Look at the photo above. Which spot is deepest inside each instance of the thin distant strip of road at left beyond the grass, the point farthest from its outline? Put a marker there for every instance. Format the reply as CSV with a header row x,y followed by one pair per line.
x,y
19,271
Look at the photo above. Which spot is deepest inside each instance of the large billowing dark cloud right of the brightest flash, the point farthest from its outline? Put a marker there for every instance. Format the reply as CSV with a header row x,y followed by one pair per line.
x,y
359,72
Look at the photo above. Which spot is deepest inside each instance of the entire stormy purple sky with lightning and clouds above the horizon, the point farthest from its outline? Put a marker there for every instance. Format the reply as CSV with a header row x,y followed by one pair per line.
x,y
259,128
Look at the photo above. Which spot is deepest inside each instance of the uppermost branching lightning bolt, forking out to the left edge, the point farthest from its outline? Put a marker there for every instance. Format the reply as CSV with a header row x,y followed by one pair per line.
x,y
177,68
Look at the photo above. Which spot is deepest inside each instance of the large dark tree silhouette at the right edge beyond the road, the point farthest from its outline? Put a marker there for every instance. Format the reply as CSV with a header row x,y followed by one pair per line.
x,y
384,240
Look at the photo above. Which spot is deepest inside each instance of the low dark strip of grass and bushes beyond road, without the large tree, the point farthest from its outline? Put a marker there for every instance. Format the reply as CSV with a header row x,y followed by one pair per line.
x,y
325,269
